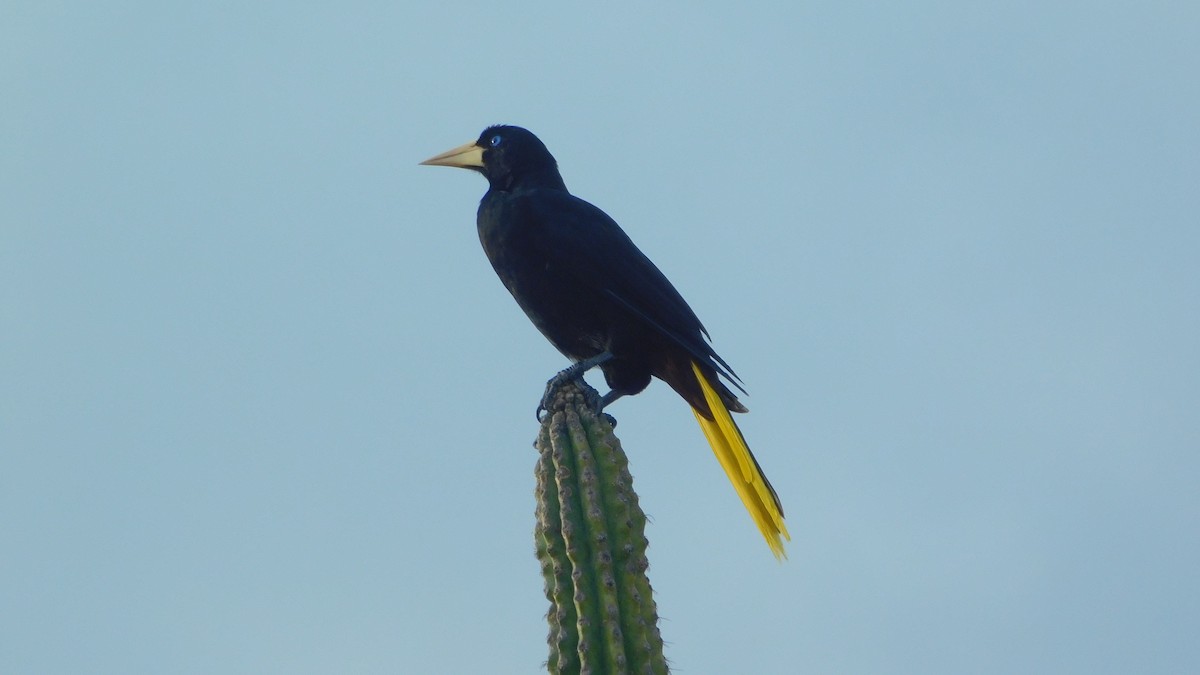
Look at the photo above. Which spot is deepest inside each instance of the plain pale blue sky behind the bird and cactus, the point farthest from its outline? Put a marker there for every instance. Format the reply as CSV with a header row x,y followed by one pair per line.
x,y
266,409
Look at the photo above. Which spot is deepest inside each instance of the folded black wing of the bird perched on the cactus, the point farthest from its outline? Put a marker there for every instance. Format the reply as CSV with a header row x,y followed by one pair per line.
x,y
604,258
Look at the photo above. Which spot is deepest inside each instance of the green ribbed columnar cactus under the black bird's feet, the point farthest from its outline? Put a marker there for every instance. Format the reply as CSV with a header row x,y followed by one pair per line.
x,y
591,541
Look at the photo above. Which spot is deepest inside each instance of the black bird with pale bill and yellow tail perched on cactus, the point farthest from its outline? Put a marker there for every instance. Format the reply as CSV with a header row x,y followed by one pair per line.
x,y
602,302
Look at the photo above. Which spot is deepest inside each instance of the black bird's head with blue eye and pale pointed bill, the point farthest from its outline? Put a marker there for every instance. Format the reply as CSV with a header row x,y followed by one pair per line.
x,y
507,156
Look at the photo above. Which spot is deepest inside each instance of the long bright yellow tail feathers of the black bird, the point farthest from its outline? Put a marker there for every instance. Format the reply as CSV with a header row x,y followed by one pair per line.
x,y
743,470
